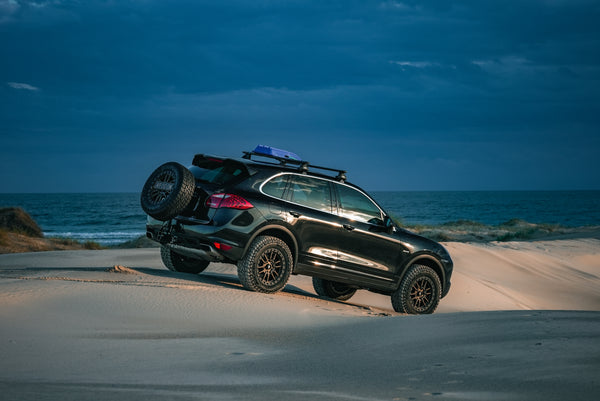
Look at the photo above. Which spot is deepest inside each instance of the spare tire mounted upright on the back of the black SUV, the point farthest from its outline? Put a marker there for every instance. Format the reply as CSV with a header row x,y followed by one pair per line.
x,y
168,191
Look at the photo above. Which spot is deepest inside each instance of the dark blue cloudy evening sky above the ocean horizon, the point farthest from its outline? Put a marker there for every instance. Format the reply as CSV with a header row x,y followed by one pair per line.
x,y
405,95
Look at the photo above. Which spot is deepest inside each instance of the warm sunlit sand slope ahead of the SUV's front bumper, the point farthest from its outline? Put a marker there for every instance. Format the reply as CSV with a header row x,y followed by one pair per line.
x,y
526,275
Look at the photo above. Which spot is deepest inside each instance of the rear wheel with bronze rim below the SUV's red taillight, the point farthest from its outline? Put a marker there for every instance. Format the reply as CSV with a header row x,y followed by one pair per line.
x,y
267,265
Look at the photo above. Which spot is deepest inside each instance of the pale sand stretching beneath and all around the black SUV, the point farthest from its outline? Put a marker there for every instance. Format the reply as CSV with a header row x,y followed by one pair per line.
x,y
521,322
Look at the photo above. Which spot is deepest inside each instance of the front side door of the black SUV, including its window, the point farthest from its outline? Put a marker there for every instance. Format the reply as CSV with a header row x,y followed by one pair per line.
x,y
365,246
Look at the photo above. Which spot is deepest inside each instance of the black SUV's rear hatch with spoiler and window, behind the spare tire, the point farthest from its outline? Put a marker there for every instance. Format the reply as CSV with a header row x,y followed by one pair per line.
x,y
213,175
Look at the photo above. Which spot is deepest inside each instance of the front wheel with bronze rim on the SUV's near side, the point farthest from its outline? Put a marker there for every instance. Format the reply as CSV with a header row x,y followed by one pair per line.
x,y
419,292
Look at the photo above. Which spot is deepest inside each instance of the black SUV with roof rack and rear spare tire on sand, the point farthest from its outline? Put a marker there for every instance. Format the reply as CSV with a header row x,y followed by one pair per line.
x,y
274,215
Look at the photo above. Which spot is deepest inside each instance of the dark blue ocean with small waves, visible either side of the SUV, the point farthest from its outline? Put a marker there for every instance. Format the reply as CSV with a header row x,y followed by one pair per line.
x,y
114,218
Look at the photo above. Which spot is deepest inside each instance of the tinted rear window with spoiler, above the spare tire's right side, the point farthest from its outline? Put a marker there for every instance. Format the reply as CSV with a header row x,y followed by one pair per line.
x,y
217,171
